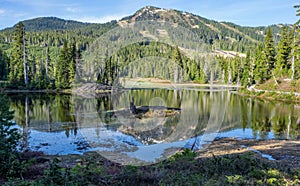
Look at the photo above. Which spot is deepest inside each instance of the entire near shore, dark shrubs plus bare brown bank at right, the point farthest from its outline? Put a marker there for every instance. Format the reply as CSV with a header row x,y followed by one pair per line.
x,y
224,162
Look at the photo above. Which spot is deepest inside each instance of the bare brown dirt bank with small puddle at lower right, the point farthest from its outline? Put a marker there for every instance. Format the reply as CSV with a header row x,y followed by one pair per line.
x,y
286,152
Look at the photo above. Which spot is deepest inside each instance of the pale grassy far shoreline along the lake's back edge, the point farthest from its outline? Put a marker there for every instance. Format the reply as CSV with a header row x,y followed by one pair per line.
x,y
146,83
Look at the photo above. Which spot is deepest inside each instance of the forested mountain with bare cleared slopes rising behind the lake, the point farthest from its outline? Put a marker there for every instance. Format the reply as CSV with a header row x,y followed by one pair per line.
x,y
150,31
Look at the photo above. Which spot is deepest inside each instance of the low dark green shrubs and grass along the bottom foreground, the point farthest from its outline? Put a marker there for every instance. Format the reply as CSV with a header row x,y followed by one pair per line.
x,y
181,169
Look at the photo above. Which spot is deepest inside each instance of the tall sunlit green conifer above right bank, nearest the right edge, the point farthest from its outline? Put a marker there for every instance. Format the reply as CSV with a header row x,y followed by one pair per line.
x,y
283,52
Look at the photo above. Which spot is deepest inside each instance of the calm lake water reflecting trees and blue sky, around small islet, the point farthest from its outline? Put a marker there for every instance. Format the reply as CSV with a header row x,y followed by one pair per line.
x,y
70,124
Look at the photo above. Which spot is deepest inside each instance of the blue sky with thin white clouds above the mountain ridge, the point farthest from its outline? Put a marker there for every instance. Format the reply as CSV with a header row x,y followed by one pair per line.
x,y
243,12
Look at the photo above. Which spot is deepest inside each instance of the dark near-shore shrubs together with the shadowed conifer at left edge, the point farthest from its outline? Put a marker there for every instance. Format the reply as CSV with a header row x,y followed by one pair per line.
x,y
183,168
